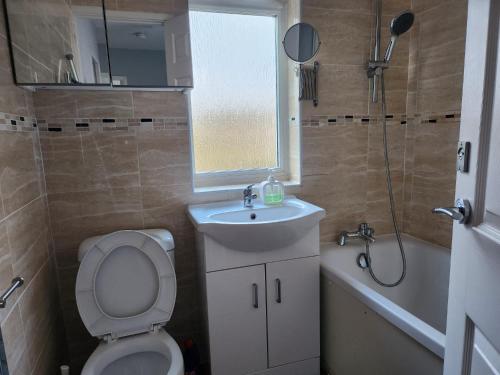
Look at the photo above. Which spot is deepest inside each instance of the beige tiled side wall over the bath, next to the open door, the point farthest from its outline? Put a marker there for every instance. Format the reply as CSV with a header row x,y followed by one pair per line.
x,y
435,88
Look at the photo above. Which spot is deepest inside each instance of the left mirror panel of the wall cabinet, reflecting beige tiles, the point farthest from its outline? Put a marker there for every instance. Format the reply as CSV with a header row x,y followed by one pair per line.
x,y
57,42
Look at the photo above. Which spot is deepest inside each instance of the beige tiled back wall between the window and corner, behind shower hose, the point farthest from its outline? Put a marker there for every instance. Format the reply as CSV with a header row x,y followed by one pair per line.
x,y
343,168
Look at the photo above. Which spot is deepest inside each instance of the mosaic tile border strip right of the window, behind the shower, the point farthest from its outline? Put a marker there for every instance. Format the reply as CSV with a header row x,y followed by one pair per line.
x,y
427,118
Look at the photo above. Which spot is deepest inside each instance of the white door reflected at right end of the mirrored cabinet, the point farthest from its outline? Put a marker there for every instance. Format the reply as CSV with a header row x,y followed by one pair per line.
x,y
178,50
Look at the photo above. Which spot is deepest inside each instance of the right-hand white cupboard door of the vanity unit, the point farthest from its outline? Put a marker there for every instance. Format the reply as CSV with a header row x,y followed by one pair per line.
x,y
293,310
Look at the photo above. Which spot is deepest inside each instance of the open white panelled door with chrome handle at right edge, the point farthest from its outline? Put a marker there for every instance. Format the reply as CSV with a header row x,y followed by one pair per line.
x,y
473,328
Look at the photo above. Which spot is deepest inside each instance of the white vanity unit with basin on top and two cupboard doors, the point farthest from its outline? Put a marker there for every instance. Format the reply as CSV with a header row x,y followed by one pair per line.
x,y
259,273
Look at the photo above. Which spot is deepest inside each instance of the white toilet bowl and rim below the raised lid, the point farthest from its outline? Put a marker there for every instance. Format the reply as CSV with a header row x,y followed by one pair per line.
x,y
159,343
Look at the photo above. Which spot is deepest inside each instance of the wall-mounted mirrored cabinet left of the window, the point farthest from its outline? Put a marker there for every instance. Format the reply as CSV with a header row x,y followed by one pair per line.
x,y
100,43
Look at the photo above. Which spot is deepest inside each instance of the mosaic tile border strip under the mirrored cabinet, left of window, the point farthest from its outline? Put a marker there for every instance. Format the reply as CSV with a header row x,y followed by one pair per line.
x,y
111,124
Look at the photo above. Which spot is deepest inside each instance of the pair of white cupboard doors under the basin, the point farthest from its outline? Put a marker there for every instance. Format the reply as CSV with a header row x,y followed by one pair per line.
x,y
263,316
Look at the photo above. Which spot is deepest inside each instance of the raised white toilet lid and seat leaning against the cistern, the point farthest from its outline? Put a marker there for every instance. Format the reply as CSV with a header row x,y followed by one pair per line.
x,y
126,284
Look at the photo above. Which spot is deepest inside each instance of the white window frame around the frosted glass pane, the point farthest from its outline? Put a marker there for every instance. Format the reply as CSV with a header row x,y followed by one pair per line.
x,y
236,179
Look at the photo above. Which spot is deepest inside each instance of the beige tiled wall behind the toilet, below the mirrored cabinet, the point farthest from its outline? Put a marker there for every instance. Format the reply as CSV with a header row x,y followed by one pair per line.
x,y
123,177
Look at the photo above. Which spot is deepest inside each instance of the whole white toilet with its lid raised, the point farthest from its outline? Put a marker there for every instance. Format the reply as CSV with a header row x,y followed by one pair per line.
x,y
125,292
